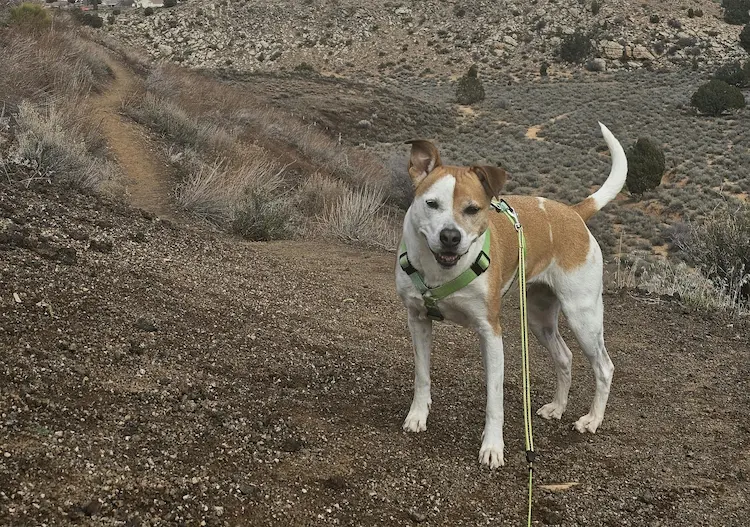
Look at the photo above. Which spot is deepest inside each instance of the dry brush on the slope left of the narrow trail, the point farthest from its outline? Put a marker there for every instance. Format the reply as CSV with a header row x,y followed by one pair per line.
x,y
47,74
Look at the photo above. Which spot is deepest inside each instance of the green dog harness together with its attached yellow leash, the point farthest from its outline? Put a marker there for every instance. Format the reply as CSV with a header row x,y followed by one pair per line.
x,y
431,296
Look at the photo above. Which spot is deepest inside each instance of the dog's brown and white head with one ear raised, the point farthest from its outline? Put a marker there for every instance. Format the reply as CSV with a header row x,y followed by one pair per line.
x,y
451,204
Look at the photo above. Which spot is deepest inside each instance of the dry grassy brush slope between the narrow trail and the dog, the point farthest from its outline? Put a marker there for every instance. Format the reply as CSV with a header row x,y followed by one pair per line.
x,y
259,172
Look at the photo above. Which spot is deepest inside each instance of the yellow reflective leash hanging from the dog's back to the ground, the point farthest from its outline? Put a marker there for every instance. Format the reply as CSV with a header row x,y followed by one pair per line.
x,y
506,209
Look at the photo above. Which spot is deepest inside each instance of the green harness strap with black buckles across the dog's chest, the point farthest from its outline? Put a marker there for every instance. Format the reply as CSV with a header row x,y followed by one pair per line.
x,y
431,295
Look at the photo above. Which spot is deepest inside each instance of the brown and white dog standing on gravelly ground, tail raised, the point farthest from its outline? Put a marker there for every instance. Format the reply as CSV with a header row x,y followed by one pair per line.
x,y
444,231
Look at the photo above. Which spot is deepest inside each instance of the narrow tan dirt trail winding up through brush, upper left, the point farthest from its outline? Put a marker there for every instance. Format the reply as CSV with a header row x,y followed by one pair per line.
x,y
147,176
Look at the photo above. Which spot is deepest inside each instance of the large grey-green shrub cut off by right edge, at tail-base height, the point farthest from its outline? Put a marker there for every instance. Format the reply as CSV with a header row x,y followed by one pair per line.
x,y
719,248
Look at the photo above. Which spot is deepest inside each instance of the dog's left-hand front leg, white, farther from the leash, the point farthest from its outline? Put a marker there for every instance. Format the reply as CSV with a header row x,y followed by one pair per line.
x,y
421,337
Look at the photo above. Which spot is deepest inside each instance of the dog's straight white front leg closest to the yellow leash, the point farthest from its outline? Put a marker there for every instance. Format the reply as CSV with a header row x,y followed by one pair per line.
x,y
491,453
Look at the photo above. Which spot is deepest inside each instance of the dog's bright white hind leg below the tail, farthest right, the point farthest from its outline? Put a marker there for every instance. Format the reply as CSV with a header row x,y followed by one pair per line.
x,y
585,315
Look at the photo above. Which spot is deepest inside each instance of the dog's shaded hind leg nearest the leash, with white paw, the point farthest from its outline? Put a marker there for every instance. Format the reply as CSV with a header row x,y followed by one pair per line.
x,y
544,314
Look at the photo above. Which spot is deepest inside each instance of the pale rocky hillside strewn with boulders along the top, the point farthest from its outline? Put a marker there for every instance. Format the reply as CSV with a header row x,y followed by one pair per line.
x,y
348,37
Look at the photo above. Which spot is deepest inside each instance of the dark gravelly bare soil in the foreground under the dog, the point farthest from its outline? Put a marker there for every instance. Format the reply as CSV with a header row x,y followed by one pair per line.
x,y
161,374
